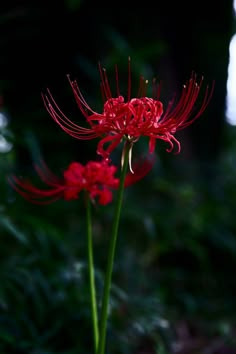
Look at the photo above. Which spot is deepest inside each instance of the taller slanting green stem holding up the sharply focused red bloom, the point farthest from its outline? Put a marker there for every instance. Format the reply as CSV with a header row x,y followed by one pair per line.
x,y
111,254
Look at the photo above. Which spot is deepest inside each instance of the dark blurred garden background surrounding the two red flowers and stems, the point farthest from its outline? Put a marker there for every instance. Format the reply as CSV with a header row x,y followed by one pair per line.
x,y
174,284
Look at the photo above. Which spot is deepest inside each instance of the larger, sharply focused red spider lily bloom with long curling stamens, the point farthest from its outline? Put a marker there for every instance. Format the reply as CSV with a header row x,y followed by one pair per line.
x,y
133,118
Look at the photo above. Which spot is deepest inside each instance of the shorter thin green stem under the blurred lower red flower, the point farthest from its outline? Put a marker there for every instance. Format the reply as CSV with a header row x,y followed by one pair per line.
x,y
91,273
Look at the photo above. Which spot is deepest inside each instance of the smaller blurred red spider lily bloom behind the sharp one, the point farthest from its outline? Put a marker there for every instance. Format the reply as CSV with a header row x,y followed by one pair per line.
x,y
97,178
